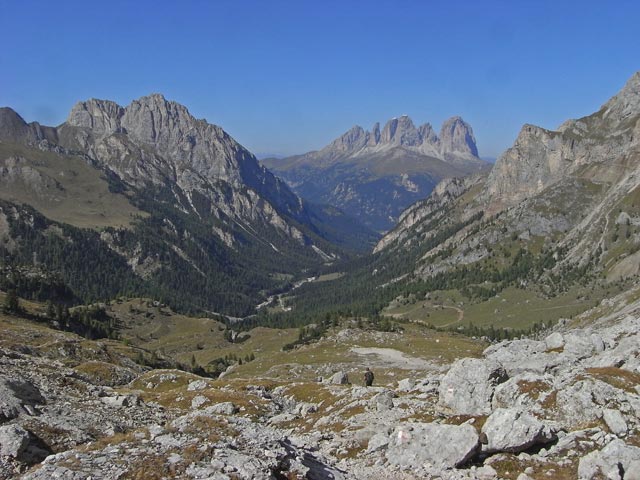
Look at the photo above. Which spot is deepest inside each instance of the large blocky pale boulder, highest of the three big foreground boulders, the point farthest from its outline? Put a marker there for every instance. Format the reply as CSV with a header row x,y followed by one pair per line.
x,y
468,387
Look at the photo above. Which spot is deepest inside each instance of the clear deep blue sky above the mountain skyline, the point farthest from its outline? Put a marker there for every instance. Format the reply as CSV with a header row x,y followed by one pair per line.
x,y
286,77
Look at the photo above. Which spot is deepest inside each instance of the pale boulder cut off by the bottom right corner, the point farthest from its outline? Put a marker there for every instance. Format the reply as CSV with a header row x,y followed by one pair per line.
x,y
614,458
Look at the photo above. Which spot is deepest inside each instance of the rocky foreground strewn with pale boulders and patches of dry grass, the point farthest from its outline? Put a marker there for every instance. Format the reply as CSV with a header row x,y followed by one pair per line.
x,y
565,406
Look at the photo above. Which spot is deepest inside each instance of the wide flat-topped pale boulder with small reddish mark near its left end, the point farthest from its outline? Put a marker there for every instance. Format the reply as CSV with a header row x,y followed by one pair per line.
x,y
443,446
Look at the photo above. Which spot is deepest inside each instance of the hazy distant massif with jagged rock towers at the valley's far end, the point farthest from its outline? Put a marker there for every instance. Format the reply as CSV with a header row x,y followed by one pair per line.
x,y
374,175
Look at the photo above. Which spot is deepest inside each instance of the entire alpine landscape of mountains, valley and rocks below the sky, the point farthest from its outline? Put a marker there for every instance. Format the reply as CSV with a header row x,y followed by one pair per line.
x,y
500,313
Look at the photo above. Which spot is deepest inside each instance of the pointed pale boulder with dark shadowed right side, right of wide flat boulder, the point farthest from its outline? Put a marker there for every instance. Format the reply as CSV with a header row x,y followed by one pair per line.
x,y
514,430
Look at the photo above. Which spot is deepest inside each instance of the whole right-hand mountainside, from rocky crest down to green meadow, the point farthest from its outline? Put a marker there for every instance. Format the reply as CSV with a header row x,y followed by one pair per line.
x,y
556,224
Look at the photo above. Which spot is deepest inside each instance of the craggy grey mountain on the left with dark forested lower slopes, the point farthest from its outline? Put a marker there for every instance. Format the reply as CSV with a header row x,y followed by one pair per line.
x,y
175,207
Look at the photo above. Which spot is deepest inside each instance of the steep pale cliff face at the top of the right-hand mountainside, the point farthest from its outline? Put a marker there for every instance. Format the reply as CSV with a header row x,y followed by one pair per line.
x,y
540,158
